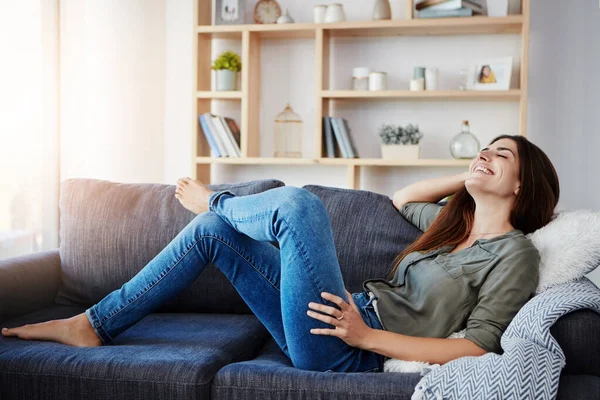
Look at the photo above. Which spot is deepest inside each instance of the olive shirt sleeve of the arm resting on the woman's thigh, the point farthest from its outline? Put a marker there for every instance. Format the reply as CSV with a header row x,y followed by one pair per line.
x,y
506,289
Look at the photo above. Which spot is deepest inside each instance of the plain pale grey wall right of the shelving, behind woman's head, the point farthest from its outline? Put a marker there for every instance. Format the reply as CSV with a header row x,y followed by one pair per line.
x,y
564,98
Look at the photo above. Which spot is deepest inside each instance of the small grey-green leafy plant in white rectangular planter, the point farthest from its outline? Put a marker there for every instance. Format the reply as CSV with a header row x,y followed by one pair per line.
x,y
400,143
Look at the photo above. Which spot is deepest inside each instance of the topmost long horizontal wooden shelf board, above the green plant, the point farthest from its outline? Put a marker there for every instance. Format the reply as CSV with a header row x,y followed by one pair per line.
x,y
511,24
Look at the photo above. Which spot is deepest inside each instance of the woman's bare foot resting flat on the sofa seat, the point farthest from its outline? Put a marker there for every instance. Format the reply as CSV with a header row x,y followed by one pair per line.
x,y
74,331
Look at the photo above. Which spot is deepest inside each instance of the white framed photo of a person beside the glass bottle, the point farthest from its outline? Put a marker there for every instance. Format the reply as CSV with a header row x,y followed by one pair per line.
x,y
492,74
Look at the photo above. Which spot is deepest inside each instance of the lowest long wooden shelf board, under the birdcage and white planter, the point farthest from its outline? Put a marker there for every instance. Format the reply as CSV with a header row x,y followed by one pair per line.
x,y
423,162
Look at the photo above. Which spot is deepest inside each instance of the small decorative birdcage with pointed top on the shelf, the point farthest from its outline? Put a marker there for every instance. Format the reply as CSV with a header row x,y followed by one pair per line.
x,y
288,134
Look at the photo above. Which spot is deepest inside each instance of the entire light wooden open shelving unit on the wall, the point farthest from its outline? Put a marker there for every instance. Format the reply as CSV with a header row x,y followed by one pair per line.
x,y
251,39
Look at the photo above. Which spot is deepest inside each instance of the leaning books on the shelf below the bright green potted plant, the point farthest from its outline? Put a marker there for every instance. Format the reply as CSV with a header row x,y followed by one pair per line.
x,y
222,135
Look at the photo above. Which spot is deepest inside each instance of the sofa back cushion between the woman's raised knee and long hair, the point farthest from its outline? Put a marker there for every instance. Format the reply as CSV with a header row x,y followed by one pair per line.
x,y
368,232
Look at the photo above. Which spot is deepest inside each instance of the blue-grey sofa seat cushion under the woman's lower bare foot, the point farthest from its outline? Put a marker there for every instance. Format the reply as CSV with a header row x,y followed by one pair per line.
x,y
164,356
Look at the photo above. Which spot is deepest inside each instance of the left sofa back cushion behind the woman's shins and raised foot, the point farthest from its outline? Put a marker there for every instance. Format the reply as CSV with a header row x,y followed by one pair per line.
x,y
109,231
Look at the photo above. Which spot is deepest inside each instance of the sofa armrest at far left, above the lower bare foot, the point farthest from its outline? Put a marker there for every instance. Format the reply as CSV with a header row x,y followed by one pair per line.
x,y
28,283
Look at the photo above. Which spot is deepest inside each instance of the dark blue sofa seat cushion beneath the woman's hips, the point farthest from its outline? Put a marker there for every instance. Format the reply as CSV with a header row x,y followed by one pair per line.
x,y
271,376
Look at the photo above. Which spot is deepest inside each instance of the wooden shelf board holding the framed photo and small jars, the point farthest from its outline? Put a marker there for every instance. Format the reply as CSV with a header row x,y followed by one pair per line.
x,y
513,94
